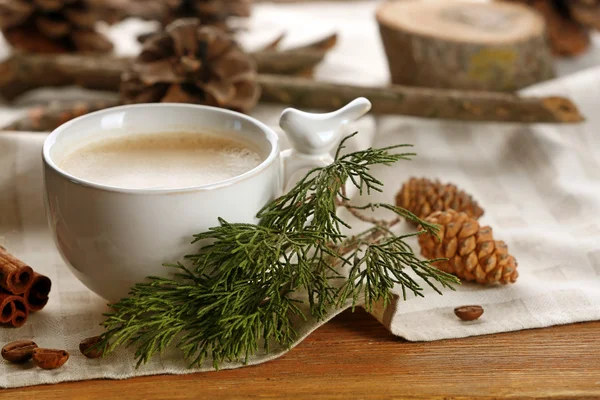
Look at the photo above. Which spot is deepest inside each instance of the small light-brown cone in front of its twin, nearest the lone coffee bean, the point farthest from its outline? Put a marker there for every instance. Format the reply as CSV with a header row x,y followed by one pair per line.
x,y
472,253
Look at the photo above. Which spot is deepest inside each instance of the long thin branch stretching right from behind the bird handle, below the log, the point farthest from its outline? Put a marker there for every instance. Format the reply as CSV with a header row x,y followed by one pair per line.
x,y
420,102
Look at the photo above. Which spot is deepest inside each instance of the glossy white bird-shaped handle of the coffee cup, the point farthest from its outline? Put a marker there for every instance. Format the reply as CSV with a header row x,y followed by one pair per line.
x,y
313,136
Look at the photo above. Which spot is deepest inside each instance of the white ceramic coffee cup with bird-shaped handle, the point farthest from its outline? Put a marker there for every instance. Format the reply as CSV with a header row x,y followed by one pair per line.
x,y
112,238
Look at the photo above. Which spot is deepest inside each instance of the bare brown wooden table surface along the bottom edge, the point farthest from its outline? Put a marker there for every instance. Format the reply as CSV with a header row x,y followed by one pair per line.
x,y
354,356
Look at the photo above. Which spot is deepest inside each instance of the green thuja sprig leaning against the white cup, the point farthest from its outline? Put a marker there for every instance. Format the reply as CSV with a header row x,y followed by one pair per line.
x,y
247,283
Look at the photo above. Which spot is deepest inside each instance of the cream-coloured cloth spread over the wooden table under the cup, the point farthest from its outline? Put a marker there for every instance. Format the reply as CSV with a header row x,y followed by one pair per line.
x,y
540,186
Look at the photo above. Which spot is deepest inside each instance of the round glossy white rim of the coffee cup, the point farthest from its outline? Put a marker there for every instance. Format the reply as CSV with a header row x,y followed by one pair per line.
x,y
269,133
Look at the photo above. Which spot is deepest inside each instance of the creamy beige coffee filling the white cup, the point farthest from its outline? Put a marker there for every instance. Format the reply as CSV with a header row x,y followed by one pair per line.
x,y
162,161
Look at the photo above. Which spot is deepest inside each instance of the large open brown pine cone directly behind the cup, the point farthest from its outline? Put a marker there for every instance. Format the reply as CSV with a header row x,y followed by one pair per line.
x,y
189,63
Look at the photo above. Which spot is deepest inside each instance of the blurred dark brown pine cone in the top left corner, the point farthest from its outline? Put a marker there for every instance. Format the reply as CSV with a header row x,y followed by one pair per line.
x,y
52,26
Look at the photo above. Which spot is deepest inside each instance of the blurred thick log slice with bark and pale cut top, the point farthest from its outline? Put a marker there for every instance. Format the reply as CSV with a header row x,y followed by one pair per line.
x,y
464,45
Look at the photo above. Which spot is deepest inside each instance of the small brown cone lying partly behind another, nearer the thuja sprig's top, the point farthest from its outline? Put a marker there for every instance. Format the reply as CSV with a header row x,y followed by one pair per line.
x,y
423,196
